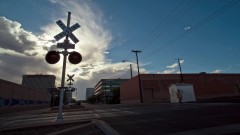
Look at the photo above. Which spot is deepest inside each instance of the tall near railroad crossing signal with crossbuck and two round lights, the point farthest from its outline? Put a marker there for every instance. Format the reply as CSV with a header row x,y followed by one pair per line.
x,y
75,57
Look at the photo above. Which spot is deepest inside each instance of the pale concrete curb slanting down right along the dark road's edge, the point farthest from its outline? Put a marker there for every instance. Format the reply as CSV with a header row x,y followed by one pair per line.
x,y
104,128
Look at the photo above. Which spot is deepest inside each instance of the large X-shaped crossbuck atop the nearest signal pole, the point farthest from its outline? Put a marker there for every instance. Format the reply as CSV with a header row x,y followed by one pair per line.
x,y
67,31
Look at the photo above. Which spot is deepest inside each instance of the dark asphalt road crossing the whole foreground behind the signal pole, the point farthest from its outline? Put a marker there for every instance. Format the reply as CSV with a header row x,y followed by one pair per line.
x,y
142,119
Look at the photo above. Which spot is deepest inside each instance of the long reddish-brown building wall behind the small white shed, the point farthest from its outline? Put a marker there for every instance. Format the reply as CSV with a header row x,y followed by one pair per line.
x,y
155,86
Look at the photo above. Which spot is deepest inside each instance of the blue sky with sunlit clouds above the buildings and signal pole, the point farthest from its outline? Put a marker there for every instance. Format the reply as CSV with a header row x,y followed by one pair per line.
x,y
205,34
